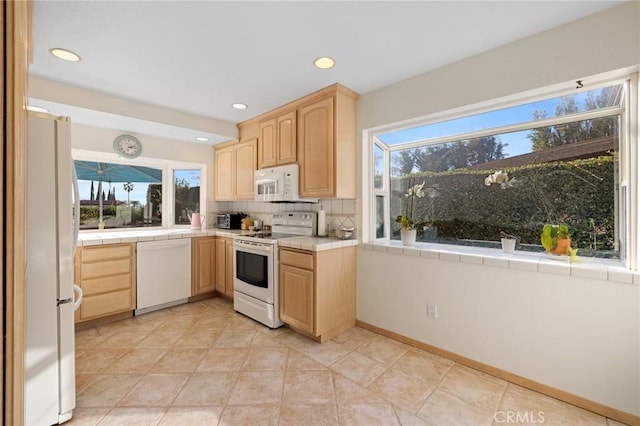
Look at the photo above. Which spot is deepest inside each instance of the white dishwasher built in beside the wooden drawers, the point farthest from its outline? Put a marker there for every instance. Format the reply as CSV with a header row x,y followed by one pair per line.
x,y
163,274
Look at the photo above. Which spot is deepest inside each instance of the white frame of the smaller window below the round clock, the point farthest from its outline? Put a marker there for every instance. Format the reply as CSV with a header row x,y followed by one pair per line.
x,y
168,168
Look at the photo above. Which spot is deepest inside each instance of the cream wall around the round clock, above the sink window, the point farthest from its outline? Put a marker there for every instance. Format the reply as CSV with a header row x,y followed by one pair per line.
x,y
101,140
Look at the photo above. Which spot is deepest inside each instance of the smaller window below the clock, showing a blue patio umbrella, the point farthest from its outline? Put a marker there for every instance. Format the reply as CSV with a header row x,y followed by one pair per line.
x,y
125,195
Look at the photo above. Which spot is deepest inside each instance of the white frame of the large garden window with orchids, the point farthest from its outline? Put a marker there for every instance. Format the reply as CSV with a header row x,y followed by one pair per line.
x,y
629,167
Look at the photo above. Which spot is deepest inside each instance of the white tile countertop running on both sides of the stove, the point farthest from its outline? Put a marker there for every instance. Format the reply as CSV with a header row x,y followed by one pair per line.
x,y
115,237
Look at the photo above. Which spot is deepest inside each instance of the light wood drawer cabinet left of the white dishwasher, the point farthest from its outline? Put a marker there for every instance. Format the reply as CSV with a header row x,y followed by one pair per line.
x,y
107,276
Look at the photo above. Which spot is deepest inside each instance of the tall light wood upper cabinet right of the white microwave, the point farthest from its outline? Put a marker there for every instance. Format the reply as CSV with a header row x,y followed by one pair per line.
x,y
327,146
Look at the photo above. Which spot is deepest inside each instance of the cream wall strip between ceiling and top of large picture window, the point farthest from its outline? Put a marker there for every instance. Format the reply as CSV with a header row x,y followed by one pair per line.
x,y
600,43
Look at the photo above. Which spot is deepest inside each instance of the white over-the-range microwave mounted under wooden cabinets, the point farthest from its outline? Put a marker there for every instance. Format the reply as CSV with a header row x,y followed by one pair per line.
x,y
278,184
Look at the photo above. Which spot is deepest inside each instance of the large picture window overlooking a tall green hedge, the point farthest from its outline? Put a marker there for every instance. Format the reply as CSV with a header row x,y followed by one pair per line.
x,y
509,171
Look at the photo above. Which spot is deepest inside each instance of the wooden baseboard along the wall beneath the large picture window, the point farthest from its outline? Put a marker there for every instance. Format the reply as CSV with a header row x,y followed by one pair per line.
x,y
561,395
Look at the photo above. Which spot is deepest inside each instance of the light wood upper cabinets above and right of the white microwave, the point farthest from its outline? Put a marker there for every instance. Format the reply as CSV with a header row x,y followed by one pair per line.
x,y
318,131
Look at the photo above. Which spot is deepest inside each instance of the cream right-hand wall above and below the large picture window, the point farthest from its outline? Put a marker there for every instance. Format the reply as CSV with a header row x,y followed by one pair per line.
x,y
578,335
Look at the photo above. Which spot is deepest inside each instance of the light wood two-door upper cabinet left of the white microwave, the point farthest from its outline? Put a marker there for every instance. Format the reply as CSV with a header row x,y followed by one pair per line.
x,y
235,164
